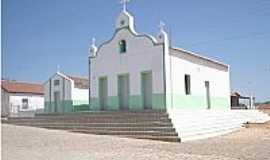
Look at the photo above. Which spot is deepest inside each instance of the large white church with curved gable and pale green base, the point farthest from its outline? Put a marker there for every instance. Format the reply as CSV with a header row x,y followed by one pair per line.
x,y
133,71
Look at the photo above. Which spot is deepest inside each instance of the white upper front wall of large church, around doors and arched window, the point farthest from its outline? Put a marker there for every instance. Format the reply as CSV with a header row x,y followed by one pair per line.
x,y
142,55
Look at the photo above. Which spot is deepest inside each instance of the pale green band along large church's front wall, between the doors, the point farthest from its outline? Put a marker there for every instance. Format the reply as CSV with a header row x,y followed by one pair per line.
x,y
135,102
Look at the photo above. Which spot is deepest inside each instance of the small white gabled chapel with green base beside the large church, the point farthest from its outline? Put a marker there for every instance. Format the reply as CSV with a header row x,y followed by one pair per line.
x,y
64,93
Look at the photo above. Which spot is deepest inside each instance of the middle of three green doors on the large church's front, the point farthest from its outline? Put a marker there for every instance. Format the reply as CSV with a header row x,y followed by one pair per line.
x,y
123,91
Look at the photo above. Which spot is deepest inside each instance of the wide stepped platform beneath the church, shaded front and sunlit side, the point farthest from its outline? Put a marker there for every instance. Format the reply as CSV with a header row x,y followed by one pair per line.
x,y
155,125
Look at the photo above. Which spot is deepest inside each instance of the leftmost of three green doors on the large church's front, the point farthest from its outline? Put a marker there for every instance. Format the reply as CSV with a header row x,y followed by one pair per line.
x,y
103,93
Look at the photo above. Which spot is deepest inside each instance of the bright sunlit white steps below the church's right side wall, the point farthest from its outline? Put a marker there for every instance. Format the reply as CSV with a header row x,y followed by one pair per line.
x,y
200,124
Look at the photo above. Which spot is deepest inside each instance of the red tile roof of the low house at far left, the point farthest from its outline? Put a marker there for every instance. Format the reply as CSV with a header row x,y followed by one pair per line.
x,y
21,87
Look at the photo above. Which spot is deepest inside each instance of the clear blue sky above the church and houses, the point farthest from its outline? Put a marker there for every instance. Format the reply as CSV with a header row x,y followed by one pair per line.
x,y
39,34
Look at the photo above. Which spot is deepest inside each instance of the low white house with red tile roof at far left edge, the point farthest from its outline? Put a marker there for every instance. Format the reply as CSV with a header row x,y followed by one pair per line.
x,y
20,98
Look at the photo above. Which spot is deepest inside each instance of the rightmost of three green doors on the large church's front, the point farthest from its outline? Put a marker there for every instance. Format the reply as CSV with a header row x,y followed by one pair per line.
x,y
146,84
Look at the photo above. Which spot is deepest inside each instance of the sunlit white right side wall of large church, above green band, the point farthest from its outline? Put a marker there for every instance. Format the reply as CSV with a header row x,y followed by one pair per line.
x,y
199,71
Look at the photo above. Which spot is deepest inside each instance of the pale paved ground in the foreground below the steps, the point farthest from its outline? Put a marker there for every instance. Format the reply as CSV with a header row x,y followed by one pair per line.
x,y
26,143
